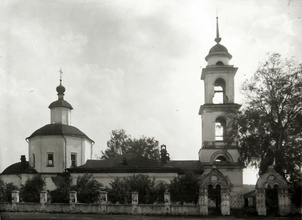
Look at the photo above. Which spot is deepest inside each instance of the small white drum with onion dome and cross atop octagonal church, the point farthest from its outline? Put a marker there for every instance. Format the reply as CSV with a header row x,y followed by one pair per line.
x,y
60,110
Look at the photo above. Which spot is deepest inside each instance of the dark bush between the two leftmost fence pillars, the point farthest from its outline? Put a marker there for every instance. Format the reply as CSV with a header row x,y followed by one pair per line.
x,y
30,191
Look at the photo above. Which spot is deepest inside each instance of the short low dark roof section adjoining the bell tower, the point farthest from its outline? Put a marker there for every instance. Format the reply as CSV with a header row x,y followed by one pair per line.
x,y
187,166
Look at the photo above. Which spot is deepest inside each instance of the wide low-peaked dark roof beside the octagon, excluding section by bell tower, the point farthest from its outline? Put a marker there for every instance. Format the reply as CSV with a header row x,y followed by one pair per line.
x,y
129,162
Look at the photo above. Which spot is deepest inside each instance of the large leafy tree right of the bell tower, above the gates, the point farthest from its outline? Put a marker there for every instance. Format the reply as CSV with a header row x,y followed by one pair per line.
x,y
269,127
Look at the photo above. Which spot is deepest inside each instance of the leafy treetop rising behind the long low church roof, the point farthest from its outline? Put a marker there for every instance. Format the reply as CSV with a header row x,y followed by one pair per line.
x,y
121,143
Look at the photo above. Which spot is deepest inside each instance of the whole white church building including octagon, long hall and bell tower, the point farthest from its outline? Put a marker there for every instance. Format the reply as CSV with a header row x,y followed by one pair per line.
x,y
60,147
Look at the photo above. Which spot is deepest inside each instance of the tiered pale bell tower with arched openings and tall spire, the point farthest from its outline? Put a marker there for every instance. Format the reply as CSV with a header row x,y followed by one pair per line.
x,y
218,77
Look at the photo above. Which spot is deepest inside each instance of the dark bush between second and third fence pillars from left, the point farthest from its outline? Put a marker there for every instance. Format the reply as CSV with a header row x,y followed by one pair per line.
x,y
63,184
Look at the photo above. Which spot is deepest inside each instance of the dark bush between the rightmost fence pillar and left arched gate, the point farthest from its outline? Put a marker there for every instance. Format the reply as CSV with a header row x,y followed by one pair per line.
x,y
185,188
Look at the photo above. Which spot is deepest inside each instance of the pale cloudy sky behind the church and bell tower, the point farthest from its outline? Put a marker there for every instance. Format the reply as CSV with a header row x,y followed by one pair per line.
x,y
132,65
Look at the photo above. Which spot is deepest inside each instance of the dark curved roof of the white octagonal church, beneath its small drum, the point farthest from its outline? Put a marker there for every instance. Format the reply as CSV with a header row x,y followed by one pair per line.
x,y
59,129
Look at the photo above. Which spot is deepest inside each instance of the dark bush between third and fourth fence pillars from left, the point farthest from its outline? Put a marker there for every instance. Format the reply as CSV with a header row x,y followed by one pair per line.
x,y
87,188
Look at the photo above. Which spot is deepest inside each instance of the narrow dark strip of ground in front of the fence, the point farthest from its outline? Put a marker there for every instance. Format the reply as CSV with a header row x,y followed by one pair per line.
x,y
56,216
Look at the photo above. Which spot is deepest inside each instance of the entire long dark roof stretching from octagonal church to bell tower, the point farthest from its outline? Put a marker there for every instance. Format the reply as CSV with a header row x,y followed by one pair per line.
x,y
132,162
